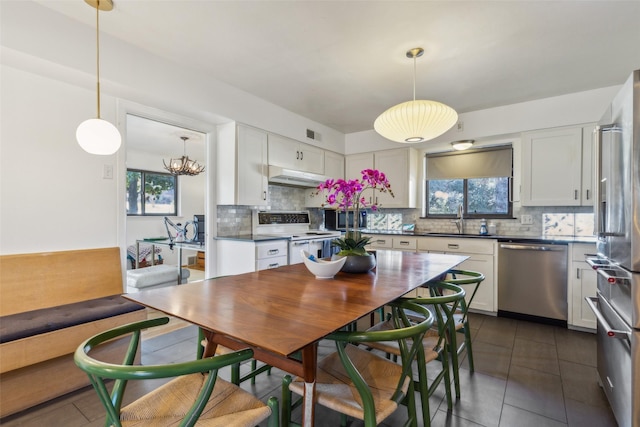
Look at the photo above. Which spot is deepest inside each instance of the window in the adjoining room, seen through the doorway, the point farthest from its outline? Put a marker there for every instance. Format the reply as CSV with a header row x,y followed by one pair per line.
x,y
151,193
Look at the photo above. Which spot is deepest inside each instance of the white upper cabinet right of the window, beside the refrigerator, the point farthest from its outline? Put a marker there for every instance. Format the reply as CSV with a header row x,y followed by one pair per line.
x,y
552,168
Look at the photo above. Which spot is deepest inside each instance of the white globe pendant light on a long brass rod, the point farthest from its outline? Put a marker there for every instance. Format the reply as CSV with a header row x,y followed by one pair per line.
x,y
97,136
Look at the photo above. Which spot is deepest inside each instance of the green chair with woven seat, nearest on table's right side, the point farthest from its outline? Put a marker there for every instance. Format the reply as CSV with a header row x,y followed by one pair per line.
x,y
361,384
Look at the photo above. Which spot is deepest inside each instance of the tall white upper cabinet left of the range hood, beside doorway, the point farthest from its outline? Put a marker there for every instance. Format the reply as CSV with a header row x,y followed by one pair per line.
x,y
242,175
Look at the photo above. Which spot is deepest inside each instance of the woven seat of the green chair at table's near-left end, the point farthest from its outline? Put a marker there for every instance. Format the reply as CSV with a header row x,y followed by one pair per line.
x,y
167,405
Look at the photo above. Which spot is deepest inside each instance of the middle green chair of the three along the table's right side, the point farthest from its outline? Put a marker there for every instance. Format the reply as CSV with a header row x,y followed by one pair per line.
x,y
443,301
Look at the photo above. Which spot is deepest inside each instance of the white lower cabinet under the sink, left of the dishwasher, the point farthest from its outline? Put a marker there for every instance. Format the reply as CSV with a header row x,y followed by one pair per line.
x,y
481,253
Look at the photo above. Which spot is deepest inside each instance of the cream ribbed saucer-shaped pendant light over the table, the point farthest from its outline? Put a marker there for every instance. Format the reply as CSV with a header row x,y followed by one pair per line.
x,y
415,121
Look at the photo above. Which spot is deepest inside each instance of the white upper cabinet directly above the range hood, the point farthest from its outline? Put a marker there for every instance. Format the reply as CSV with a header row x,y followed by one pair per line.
x,y
291,154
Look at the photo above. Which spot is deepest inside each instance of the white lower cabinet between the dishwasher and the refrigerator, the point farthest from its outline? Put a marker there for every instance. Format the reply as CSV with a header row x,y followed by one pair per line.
x,y
582,282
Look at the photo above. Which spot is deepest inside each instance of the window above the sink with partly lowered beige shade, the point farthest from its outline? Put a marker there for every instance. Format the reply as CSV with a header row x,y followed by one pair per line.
x,y
478,180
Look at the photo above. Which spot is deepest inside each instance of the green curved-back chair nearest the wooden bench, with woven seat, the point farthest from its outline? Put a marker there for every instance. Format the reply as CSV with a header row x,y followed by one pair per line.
x,y
195,394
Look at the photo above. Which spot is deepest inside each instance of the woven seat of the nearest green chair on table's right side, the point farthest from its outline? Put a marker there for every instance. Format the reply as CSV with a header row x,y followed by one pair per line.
x,y
335,390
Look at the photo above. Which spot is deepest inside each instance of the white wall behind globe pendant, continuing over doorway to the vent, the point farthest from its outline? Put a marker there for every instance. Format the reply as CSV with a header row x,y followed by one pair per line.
x,y
53,196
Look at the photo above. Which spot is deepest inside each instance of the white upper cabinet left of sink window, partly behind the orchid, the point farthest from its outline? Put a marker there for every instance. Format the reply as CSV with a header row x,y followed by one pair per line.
x,y
401,168
